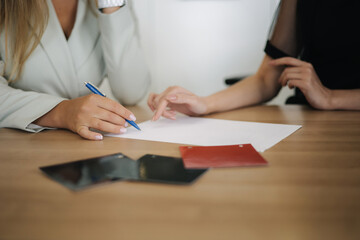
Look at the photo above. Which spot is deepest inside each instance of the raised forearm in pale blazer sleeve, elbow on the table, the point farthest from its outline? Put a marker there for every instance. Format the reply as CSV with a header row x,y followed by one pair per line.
x,y
125,63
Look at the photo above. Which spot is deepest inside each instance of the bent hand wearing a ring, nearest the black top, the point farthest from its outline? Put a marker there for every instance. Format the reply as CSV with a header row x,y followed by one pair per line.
x,y
302,75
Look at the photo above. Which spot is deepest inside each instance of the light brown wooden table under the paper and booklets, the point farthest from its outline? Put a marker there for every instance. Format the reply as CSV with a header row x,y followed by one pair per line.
x,y
310,190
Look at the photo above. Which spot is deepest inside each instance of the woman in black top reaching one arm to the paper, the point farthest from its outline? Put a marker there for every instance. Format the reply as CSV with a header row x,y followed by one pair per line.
x,y
314,47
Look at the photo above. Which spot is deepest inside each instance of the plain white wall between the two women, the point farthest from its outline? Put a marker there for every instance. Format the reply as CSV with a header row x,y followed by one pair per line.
x,y
198,43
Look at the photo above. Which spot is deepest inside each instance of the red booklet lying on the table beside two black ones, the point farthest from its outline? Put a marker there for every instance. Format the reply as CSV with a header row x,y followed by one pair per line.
x,y
221,156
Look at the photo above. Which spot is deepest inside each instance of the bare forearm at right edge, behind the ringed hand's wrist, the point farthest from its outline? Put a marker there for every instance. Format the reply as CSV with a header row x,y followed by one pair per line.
x,y
345,100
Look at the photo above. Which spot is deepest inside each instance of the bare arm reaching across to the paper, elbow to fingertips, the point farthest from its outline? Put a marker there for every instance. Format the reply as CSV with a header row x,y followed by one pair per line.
x,y
253,90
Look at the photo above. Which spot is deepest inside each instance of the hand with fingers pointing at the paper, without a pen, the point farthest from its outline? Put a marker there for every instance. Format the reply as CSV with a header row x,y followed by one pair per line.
x,y
176,99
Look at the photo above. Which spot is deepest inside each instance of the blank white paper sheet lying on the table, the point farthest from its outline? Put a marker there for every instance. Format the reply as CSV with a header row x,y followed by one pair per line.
x,y
211,132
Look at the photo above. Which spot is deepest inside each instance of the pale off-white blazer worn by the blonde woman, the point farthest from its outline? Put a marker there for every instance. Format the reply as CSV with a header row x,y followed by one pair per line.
x,y
99,46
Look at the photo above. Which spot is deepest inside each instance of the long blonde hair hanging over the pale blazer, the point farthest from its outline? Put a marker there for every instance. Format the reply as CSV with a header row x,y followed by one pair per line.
x,y
23,23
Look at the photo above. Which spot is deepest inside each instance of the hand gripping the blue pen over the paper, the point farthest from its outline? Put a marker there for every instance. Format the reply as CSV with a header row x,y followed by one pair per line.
x,y
91,111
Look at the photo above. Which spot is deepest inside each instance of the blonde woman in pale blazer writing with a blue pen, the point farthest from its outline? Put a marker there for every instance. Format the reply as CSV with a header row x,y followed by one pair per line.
x,y
79,43
